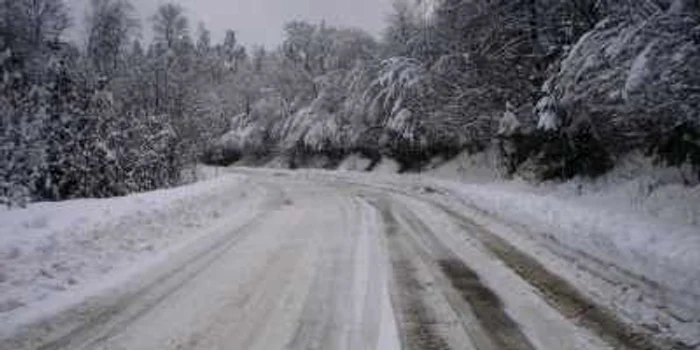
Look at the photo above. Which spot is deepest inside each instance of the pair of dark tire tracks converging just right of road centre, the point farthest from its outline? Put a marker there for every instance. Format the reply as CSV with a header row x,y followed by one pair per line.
x,y
479,310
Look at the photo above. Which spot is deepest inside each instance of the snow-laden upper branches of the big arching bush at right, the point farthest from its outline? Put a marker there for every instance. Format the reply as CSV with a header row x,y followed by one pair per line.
x,y
632,76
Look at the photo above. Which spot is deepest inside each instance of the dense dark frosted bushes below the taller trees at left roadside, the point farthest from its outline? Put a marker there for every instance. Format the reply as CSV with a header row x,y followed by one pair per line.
x,y
64,137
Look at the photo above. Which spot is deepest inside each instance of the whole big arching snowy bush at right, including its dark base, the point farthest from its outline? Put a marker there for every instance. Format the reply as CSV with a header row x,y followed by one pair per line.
x,y
627,84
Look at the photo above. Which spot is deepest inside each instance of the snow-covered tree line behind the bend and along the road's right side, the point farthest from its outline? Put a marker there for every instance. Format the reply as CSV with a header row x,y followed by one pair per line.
x,y
549,85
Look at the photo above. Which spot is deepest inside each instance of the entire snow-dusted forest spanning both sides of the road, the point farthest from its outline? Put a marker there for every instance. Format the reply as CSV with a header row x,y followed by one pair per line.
x,y
557,89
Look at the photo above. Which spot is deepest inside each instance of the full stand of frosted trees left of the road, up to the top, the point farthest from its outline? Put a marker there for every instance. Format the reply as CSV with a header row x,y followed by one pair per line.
x,y
109,120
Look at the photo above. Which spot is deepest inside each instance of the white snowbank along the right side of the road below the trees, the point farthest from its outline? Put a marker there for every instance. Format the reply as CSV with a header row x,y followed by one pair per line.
x,y
639,218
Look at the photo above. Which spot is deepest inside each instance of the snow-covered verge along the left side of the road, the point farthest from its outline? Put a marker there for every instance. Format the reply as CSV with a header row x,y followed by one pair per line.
x,y
53,249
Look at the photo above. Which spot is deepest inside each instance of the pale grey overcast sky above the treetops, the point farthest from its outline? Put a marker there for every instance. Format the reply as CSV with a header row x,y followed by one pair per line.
x,y
260,21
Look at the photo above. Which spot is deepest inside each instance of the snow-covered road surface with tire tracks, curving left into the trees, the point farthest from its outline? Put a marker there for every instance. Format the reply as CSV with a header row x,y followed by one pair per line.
x,y
335,262
